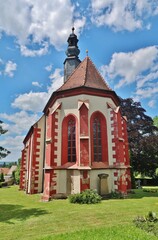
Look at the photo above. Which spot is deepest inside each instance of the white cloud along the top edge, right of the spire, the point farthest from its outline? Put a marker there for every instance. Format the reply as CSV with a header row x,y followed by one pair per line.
x,y
129,15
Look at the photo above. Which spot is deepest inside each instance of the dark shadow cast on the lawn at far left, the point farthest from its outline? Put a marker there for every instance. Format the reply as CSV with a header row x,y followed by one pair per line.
x,y
9,212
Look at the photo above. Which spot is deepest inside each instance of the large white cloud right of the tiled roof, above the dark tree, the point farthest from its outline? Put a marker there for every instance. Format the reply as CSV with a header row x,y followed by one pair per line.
x,y
128,67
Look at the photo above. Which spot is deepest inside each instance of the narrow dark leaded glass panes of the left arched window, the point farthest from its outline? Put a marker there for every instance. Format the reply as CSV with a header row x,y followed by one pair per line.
x,y
71,141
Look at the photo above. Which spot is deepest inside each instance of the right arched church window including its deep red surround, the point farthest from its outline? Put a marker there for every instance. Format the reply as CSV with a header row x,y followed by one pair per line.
x,y
99,143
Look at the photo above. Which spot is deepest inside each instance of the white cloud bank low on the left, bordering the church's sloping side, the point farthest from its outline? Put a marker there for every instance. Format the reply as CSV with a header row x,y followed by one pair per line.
x,y
20,122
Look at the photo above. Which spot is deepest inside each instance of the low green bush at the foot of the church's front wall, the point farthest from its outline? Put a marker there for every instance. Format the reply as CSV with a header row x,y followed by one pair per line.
x,y
88,196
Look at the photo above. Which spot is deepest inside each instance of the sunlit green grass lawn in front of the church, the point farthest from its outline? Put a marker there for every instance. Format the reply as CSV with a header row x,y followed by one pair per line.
x,y
26,217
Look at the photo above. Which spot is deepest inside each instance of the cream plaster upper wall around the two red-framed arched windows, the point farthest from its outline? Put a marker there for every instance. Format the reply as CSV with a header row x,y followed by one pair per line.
x,y
70,106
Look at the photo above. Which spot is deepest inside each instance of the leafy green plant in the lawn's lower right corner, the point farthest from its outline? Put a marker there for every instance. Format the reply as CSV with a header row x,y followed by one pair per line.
x,y
148,223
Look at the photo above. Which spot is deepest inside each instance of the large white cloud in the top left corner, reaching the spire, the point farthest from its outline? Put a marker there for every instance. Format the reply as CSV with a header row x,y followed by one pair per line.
x,y
35,22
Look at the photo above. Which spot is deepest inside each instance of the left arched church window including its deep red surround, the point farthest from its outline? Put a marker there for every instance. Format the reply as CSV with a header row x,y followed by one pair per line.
x,y
69,149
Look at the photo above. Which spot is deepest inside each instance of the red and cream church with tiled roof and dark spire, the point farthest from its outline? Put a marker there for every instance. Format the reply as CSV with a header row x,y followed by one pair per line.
x,y
81,140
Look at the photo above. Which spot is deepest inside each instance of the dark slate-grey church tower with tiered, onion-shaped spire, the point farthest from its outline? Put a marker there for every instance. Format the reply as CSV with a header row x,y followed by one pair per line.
x,y
72,52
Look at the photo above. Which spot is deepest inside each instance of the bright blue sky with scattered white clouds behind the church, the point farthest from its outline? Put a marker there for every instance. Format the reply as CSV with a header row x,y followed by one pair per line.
x,y
121,37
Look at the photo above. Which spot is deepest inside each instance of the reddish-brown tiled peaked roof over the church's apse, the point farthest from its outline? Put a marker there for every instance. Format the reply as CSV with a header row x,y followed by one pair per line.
x,y
86,75
